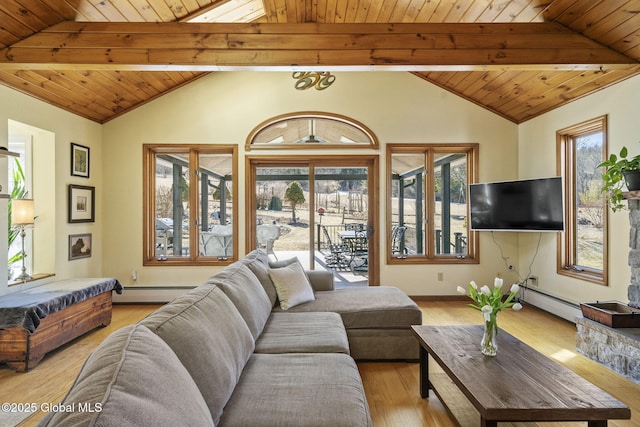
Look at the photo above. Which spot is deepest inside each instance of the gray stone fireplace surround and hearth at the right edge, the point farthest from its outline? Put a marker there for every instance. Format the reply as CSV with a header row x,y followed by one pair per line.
x,y
617,348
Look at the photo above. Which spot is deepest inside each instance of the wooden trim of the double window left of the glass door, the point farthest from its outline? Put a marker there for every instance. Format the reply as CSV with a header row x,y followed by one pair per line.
x,y
148,181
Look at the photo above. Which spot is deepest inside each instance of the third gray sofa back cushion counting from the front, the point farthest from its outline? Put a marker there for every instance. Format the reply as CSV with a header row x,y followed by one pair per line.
x,y
243,288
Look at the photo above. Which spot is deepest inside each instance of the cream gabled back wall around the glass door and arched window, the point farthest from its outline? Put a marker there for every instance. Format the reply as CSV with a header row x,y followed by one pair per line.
x,y
224,107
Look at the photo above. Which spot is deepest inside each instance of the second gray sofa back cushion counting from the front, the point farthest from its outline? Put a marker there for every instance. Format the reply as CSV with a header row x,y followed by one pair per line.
x,y
210,338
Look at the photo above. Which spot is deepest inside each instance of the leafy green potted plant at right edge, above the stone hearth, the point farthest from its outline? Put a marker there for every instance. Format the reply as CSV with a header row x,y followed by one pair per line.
x,y
620,171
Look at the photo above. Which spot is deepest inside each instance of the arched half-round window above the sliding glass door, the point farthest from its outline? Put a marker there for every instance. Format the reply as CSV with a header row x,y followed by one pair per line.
x,y
310,130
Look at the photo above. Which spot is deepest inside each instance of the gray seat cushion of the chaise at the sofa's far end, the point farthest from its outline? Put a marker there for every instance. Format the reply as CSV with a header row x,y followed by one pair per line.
x,y
383,307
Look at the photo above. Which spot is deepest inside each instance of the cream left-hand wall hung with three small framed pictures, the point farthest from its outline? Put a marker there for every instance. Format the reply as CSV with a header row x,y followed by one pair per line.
x,y
67,128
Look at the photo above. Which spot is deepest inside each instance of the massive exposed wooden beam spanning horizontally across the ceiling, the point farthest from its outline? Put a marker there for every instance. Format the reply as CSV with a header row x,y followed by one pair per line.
x,y
402,47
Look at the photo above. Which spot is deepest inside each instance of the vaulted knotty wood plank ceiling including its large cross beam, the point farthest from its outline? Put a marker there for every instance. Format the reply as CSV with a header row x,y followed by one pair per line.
x,y
578,46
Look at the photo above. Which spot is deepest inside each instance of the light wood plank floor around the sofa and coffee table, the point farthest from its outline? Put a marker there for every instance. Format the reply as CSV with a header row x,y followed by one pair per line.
x,y
392,388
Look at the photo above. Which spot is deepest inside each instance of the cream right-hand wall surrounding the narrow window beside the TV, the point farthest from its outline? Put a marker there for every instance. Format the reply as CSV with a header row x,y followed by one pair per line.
x,y
537,142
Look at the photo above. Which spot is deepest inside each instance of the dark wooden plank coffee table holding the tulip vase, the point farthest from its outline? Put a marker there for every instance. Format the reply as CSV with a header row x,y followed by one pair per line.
x,y
519,384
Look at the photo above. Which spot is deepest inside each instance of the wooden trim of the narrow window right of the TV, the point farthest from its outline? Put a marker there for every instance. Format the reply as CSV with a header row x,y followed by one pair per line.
x,y
566,241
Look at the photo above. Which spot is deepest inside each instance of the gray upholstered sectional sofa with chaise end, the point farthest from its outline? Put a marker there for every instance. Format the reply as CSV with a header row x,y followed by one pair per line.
x,y
226,353
